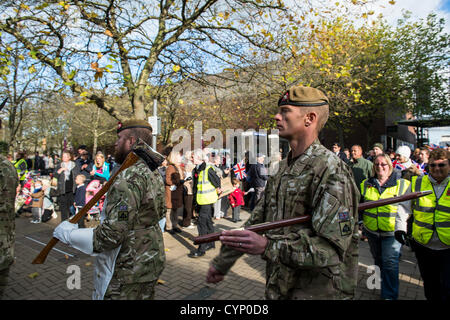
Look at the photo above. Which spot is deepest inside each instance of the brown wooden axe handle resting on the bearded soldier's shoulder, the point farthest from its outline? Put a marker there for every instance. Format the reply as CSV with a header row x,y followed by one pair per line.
x,y
130,160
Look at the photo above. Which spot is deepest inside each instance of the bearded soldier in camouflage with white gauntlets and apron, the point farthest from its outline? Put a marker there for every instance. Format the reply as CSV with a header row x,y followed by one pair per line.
x,y
128,242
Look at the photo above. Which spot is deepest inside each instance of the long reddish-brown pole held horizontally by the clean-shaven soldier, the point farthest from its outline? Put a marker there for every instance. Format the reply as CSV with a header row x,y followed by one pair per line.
x,y
303,219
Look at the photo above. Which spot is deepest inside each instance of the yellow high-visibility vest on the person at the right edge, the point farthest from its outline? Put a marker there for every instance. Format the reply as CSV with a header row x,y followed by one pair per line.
x,y
430,213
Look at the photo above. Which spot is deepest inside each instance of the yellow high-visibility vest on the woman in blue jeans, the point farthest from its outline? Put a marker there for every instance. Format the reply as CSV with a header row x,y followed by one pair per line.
x,y
382,218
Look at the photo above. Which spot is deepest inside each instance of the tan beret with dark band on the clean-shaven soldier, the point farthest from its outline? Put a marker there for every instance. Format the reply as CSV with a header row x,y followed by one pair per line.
x,y
303,97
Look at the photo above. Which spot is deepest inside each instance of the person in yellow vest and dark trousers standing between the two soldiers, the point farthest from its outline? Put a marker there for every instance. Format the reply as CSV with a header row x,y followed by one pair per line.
x,y
206,190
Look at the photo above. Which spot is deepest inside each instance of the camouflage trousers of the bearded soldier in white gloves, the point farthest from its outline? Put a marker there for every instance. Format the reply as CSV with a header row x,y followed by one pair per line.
x,y
130,291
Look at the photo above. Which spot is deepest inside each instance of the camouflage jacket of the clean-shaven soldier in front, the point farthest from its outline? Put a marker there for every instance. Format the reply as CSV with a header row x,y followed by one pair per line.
x,y
317,260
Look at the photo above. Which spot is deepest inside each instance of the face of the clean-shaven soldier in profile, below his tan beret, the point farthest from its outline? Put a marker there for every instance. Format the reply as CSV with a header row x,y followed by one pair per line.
x,y
289,121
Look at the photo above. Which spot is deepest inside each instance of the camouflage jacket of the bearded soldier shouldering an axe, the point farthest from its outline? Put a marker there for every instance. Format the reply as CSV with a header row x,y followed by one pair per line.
x,y
134,206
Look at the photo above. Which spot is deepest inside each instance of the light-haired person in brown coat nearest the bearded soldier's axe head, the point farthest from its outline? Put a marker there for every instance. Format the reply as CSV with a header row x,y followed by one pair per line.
x,y
174,191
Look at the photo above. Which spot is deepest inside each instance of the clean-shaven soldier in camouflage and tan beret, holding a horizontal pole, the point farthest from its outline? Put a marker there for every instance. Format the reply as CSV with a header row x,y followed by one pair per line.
x,y
317,260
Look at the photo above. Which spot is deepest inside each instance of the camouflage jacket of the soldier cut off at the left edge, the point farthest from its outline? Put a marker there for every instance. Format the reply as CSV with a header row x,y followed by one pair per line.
x,y
8,185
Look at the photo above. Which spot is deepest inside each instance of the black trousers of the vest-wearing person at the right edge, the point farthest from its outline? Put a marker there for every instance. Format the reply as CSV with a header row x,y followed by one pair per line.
x,y
434,267
